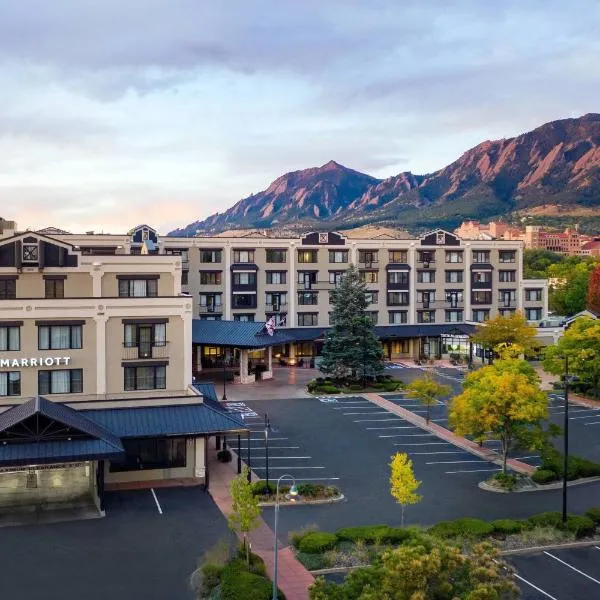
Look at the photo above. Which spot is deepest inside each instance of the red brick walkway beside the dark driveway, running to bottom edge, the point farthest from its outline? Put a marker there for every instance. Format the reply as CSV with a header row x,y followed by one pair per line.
x,y
293,579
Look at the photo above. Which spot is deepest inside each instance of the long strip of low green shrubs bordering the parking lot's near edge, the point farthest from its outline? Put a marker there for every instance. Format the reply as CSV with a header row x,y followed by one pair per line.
x,y
357,546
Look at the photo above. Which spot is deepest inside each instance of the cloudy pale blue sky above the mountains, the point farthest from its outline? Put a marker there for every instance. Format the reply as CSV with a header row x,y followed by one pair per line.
x,y
115,113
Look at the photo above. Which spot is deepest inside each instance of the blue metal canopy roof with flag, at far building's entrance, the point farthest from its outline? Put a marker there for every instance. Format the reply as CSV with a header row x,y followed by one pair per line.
x,y
236,334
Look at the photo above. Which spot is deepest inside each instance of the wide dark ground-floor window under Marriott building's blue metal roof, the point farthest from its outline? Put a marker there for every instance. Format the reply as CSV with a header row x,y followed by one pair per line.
x,y
169,453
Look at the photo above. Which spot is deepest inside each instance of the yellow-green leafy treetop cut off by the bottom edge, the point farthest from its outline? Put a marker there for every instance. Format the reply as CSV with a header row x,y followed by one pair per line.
x,y
423,571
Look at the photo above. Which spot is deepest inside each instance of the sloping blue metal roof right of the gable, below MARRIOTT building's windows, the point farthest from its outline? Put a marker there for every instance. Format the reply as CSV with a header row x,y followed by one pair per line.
x,y
156,421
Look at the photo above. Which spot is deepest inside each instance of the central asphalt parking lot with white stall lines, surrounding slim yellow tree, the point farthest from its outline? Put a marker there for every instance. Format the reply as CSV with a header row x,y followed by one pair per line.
x,y
350,441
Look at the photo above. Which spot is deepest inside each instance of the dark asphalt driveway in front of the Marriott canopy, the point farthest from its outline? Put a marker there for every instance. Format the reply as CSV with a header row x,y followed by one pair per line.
x,y
134,552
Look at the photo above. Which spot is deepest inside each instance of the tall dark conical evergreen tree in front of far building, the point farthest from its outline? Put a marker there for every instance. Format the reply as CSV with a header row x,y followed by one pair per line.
x,y
351,348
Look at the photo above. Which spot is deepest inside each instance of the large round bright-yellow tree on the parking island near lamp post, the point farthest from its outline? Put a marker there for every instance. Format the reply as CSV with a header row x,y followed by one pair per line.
x,y
502,401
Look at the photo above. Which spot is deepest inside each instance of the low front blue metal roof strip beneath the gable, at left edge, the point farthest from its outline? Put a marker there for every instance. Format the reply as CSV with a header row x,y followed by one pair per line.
x,y
58,451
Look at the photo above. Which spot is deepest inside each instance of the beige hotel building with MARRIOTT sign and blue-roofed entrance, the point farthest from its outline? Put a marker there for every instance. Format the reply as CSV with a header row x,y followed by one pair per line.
x,y
96,374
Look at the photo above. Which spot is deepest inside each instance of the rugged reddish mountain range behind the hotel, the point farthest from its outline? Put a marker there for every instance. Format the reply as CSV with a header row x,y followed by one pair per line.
x,y
553,170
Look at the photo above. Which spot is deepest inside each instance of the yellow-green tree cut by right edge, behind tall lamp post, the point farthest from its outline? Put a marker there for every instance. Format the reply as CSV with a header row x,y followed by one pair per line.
x,y
581,344
